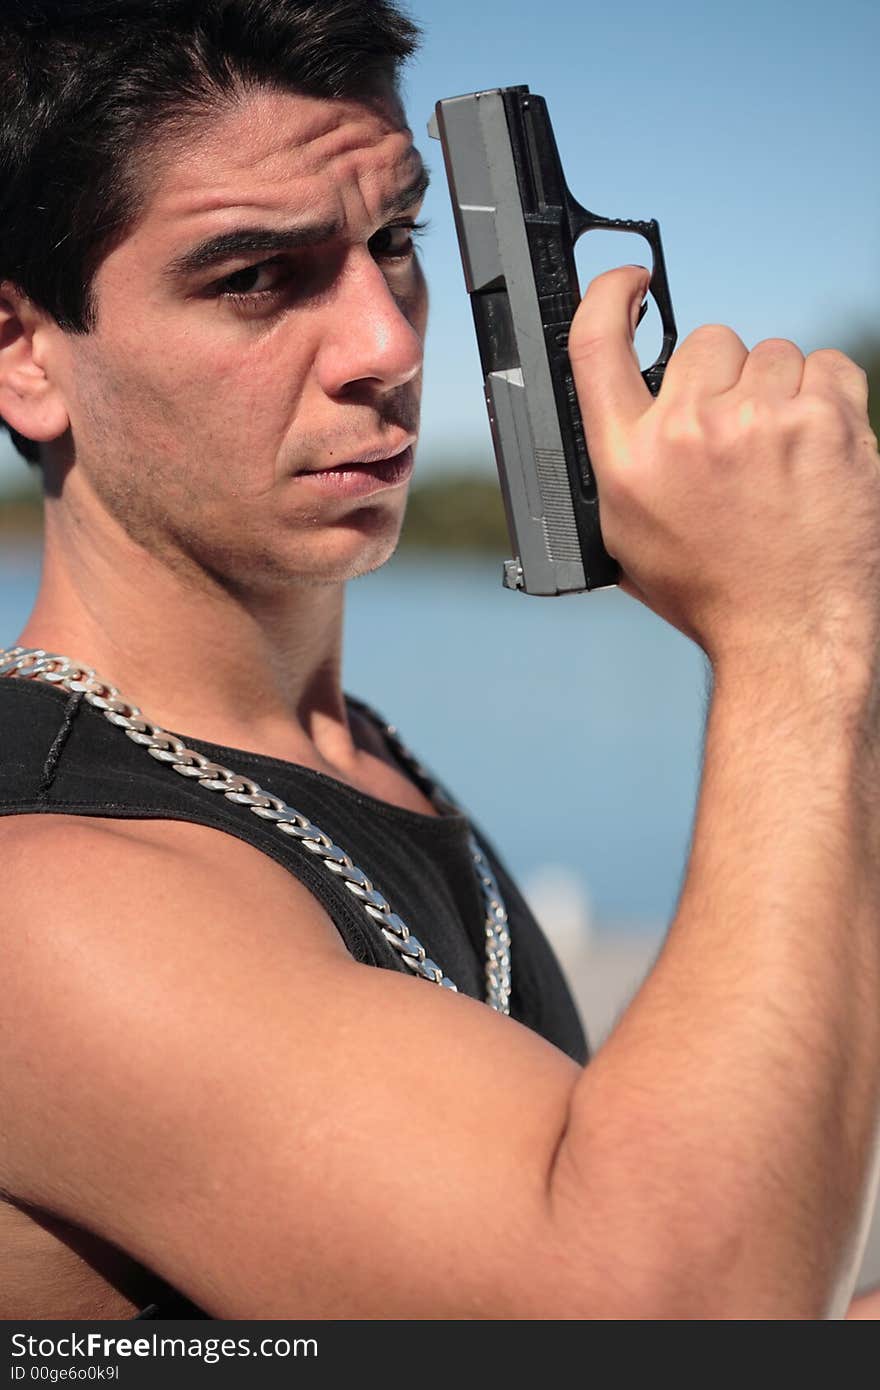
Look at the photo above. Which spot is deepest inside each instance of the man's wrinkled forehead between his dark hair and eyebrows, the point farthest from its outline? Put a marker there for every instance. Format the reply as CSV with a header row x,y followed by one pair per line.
x,y
275,154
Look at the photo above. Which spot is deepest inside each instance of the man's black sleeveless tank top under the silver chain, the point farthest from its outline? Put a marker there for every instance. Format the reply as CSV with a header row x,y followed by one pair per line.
x,y
60,755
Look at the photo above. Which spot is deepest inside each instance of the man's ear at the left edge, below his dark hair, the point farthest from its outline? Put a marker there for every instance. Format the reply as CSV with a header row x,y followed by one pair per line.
x,y
30,400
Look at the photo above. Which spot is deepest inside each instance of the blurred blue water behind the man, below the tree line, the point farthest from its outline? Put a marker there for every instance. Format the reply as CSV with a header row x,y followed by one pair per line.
x,y
571,729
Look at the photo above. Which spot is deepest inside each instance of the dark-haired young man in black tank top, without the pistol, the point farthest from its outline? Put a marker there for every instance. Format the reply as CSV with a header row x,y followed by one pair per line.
x,y
219,1074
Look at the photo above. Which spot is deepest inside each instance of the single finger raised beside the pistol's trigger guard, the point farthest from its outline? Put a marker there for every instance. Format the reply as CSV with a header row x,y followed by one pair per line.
x,y
608,379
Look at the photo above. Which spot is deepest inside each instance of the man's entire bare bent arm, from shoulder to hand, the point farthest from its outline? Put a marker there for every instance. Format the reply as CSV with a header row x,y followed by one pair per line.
x,y
201,1074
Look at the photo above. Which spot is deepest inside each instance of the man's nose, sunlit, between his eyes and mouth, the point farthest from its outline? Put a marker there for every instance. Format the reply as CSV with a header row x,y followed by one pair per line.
x,y
373,336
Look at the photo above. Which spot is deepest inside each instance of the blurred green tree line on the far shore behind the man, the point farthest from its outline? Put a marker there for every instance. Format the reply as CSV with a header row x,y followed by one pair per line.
x,y
454,508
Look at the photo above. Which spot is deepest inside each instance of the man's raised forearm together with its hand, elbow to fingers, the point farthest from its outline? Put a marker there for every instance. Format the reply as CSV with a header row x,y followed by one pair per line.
x,y
744,508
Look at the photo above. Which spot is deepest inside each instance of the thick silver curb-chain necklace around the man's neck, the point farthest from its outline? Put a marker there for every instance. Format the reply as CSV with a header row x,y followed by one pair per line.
x,y
34,664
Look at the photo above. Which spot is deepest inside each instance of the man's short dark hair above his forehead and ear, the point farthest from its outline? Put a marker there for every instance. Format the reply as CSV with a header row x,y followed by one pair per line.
x,y
87,85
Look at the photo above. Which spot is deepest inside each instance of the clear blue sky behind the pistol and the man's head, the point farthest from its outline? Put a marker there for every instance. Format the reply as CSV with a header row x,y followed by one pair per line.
x,y
750,131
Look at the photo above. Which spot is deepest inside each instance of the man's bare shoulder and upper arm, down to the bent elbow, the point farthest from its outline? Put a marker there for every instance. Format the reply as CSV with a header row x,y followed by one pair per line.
x,y
202,1075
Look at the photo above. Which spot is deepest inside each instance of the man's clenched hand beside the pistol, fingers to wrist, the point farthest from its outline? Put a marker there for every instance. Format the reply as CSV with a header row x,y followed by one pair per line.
x,y
744,502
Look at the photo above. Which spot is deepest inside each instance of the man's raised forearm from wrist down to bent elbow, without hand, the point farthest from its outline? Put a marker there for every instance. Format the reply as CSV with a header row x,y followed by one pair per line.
x,y
729,1122
